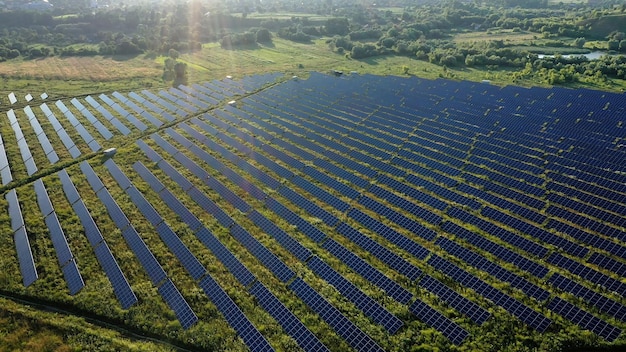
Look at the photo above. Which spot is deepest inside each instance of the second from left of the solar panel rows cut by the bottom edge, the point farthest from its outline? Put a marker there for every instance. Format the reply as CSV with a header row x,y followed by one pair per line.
x,y
289,322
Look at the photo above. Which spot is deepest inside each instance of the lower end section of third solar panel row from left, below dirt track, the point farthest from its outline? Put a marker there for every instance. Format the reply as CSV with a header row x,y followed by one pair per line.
x,y
121,288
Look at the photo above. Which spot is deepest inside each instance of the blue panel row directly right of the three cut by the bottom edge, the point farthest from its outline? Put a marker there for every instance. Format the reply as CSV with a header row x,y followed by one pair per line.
x,y
370,307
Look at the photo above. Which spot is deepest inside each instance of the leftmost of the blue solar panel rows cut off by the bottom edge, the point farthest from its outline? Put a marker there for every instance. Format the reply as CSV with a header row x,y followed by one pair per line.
x,y
235,317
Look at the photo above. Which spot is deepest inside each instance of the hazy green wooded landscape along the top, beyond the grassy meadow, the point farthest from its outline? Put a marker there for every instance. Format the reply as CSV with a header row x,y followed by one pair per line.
x,y
529,38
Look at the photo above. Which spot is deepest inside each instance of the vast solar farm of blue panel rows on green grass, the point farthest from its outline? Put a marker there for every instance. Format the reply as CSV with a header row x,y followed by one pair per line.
x,y
326,213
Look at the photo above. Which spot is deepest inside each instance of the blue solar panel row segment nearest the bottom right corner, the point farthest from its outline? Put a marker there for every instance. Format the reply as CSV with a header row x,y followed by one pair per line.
x,y
584,319
